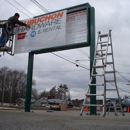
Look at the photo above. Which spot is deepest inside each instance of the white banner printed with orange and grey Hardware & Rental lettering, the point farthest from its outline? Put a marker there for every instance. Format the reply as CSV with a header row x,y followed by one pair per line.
x,y
46,31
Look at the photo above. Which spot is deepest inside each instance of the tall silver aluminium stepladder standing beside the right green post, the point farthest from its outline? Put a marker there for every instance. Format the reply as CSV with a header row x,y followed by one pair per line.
x,y
103,70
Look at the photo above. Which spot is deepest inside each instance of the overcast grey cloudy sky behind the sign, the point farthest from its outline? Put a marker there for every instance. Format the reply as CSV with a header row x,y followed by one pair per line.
x,y
50,70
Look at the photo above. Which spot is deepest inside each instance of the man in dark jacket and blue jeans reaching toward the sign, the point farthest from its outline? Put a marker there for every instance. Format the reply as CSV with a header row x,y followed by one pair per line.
x,y
12,22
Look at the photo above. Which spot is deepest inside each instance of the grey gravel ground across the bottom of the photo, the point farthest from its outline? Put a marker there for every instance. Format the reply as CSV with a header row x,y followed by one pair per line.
x,y
61,120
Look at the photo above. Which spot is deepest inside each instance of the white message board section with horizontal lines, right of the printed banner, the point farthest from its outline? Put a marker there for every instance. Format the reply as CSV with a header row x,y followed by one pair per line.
x,y
76,27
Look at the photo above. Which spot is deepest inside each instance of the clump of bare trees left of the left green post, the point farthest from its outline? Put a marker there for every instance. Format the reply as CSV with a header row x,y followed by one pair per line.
x,y
13,84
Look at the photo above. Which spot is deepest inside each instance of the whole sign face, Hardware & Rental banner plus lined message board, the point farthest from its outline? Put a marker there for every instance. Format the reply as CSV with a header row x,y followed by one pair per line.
x,y
61,30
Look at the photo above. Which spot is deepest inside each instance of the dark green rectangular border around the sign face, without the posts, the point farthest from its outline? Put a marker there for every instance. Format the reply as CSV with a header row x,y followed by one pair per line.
x,y
73,45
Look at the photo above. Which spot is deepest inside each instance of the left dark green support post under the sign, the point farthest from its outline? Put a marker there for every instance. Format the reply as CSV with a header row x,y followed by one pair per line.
x,y
29,82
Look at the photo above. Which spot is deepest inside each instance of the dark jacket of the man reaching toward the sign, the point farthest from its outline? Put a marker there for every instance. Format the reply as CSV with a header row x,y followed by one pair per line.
x,y
13,20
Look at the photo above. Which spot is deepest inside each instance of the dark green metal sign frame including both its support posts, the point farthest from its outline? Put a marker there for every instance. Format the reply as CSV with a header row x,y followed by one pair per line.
x,y
90,42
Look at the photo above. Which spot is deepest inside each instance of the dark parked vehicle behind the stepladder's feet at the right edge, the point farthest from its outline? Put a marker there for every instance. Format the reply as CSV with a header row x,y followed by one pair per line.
x,y
125,104
